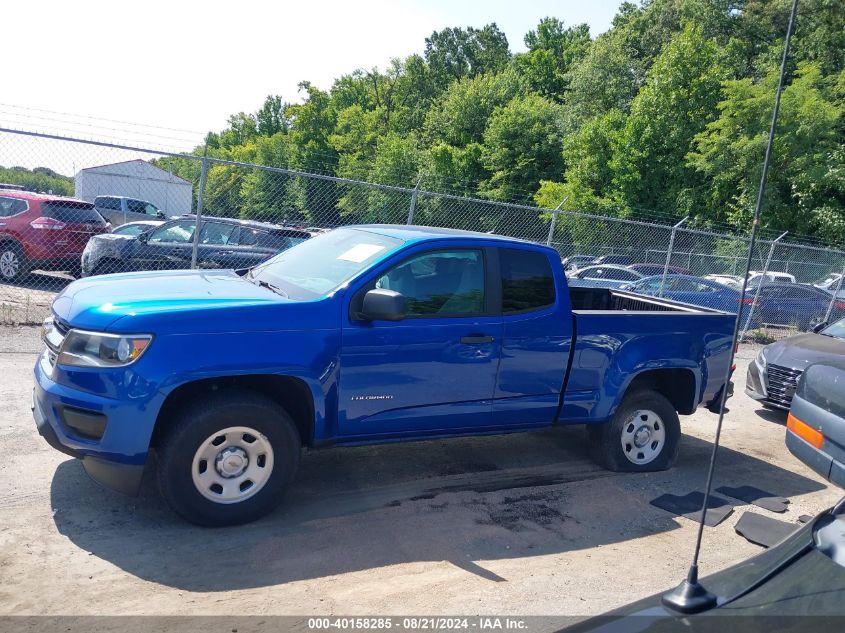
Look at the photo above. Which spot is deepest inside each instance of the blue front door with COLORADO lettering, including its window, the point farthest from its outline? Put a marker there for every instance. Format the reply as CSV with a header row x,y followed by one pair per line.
x,y
435,370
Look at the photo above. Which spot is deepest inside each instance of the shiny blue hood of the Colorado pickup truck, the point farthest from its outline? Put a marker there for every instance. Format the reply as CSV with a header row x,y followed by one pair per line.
x,y
98,303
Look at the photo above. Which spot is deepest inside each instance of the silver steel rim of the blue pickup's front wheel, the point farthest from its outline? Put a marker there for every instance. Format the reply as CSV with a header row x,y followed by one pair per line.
x,y
232,465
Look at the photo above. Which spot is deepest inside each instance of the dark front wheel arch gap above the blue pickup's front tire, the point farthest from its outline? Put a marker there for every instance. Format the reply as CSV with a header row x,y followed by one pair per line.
x,y
291,392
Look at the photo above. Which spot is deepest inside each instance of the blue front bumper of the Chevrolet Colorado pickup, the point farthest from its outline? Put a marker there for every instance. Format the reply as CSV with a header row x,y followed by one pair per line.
x,y
120,472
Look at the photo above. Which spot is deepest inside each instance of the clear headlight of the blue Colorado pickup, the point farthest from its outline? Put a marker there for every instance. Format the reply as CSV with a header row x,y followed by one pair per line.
x,y
96,349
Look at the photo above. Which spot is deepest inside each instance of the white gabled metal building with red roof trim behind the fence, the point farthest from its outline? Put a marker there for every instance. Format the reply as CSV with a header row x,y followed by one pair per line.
x,y
136,179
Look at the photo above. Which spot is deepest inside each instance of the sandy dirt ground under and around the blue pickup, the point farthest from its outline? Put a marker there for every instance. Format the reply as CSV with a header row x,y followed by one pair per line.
x,y
521,524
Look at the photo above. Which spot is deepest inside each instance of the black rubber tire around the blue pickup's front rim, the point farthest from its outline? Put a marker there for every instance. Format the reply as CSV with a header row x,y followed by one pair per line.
x,y
190,429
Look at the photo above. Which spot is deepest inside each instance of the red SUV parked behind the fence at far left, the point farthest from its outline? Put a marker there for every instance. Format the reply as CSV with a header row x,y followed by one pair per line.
x,y
38,230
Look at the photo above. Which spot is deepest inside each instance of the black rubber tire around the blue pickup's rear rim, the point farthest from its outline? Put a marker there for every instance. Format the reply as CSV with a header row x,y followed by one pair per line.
x,y
606,444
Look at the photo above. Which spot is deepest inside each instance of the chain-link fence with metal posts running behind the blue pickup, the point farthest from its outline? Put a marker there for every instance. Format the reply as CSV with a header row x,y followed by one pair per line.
x,y
144,209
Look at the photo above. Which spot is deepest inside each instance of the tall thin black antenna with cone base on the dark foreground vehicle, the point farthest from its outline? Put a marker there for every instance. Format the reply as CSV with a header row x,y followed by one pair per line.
x,y
690,596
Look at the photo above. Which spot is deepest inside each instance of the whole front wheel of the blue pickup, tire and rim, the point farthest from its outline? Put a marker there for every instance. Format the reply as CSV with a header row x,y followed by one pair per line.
x,y
228,459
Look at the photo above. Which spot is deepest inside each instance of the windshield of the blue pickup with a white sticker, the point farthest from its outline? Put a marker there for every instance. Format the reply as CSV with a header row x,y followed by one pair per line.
x,y
317,266
